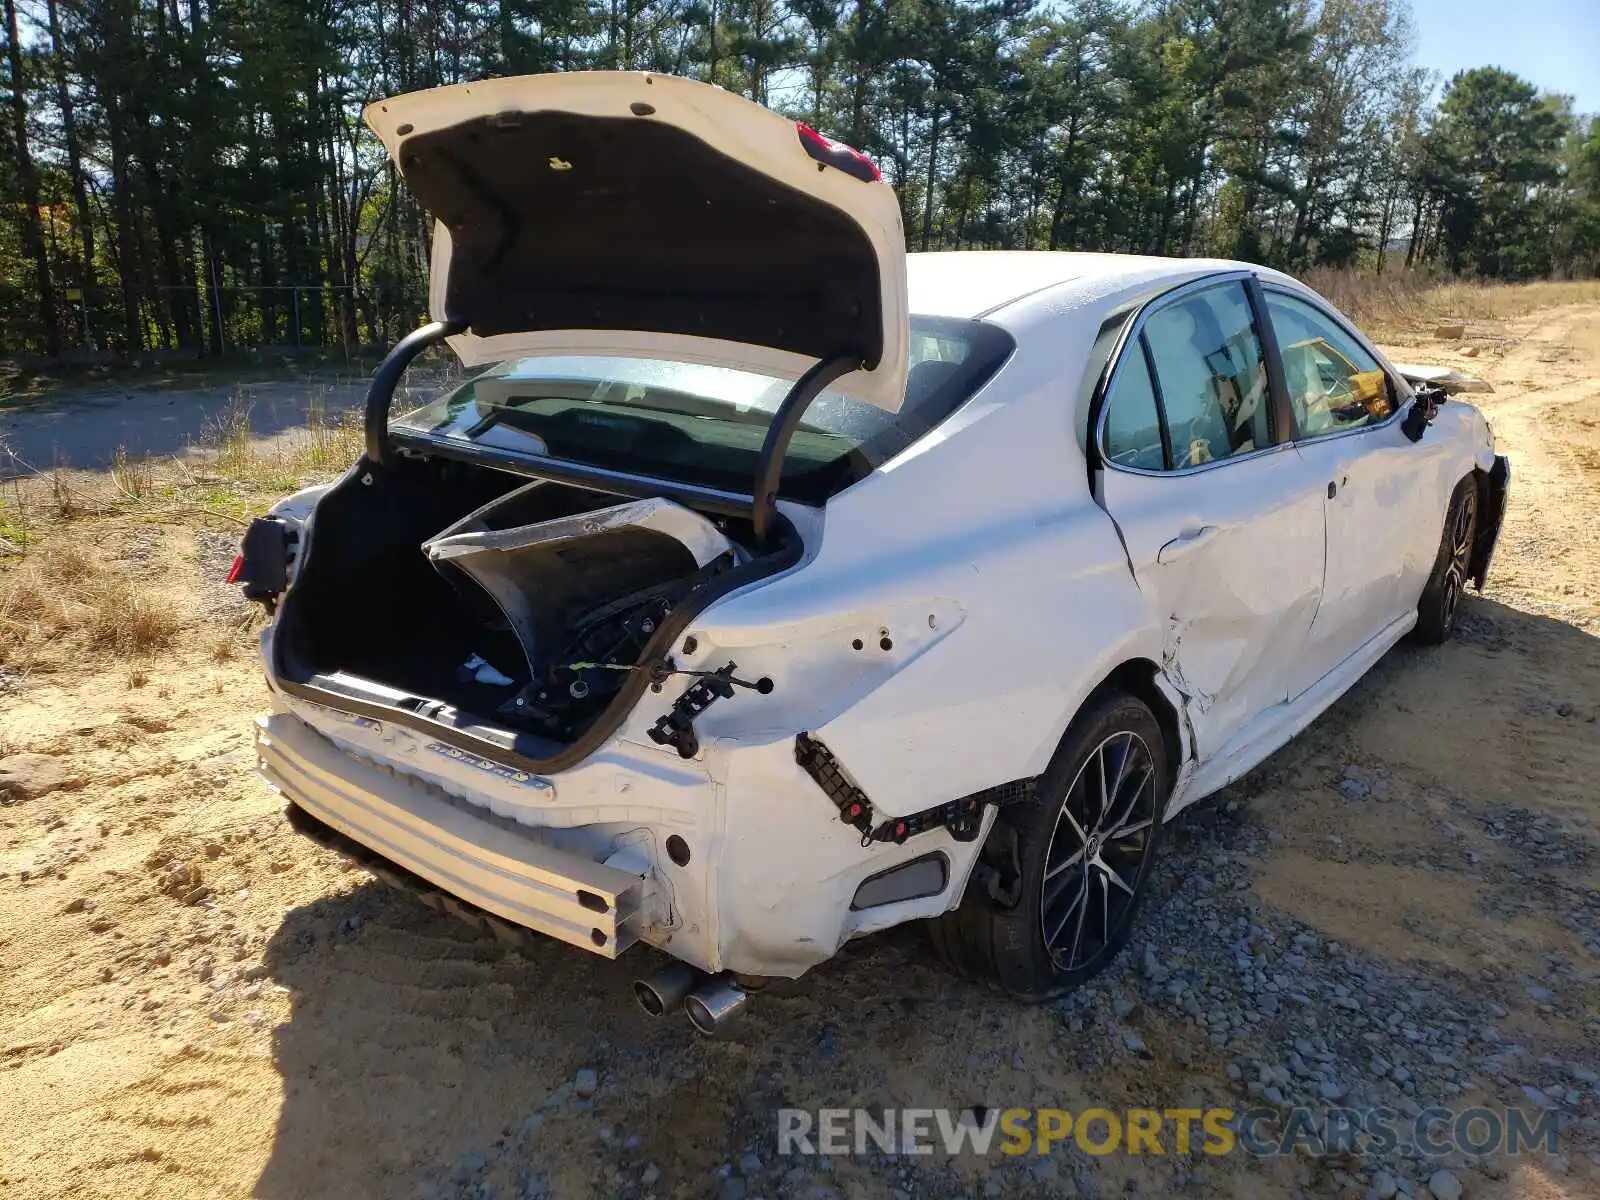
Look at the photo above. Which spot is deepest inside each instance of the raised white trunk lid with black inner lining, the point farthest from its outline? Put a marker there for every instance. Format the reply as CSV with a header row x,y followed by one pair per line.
x,y
652,217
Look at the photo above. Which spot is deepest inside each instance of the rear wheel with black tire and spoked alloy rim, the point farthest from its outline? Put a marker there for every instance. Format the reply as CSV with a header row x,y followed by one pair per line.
x,y
1079,855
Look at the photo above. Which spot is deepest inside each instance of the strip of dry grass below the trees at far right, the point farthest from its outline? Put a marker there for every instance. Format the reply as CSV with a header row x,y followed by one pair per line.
x,y
1406,302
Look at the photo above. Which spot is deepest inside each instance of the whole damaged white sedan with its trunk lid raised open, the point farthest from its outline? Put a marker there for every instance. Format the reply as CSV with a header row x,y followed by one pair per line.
x,y
770,586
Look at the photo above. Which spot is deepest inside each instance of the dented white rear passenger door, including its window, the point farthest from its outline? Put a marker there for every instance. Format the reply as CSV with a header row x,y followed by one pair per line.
x,y
1223,524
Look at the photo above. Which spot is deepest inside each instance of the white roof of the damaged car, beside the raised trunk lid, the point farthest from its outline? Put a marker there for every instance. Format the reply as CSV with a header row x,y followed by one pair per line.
x,y
985,282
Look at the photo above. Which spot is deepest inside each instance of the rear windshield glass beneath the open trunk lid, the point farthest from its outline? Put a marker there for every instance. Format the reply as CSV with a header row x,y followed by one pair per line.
x,y
706,425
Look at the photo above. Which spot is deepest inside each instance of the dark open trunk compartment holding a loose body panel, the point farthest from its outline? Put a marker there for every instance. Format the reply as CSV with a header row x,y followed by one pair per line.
x,y
518,612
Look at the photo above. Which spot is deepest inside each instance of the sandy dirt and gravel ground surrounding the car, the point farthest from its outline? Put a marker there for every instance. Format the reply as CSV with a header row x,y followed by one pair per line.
x,y
196,1002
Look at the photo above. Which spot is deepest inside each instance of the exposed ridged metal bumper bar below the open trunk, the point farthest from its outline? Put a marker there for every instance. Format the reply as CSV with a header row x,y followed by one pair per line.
x,y
502,870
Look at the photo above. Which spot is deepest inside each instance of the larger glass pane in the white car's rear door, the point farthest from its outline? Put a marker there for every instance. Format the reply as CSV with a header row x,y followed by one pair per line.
x,y
1212,375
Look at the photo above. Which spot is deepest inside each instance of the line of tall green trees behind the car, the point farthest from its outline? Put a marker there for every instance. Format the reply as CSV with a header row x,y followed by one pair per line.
x,y
194,174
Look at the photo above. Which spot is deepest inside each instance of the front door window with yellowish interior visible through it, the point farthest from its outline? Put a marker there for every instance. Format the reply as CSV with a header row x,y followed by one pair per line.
x,y
1335,385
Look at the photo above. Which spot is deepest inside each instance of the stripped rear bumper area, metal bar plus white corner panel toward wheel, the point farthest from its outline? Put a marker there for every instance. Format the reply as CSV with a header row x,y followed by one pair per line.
x,y
767,879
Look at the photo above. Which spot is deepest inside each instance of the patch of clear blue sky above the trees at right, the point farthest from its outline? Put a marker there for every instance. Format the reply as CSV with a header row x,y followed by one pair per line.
x,y
1553,44
